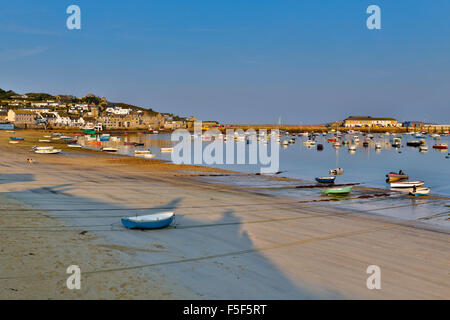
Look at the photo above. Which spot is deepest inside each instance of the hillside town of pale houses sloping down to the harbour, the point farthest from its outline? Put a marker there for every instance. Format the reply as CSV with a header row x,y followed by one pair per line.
x,y
40,110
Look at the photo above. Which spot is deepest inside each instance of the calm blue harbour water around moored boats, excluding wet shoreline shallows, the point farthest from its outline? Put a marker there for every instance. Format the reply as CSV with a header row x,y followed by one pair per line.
x,y
367,165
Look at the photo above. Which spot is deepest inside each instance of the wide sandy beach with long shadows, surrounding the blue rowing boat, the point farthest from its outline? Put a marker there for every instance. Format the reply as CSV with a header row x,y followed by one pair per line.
x,y
229,242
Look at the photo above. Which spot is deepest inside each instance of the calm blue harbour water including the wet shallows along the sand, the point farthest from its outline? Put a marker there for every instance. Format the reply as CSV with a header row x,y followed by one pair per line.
x,y
366,166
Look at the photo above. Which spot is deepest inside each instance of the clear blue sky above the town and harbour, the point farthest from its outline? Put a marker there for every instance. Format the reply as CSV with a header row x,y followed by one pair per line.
x,y
243,61
